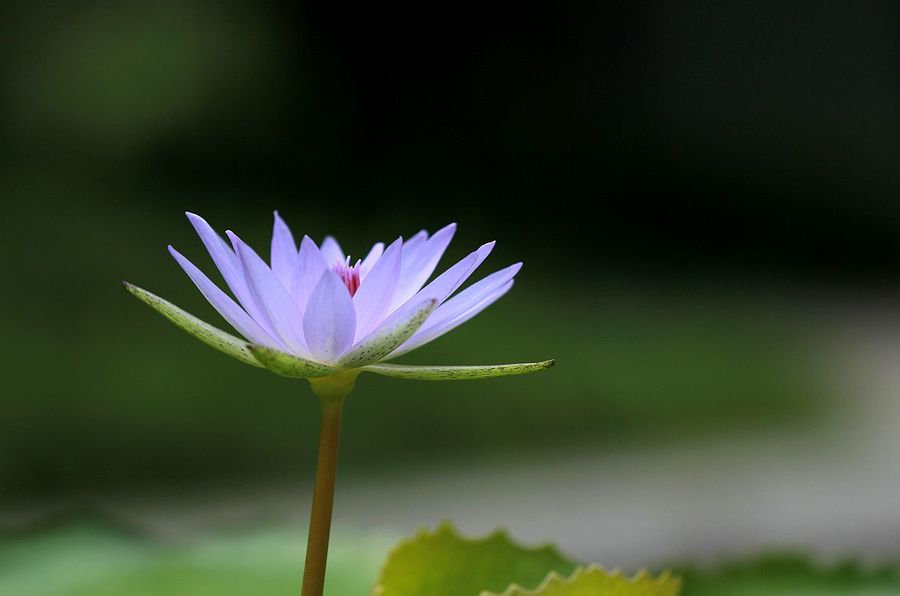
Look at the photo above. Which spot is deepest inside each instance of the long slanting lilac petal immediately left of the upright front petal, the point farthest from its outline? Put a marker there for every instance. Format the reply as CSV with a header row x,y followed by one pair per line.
x,y
281,312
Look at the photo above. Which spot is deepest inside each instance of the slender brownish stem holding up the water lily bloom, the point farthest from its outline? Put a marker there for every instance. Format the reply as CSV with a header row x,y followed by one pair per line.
x,y
331,391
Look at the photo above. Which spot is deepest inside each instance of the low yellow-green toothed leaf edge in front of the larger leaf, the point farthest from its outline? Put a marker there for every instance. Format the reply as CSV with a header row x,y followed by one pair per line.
x,y
595,581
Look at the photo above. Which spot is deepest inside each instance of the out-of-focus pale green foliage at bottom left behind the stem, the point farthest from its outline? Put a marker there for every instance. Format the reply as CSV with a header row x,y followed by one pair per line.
x,y
91,559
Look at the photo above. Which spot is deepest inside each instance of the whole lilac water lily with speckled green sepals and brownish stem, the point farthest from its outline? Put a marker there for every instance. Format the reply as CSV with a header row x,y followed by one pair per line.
x,y
315,313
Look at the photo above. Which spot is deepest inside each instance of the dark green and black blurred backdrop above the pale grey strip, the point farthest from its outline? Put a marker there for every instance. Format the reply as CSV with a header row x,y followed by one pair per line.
x,y
679,177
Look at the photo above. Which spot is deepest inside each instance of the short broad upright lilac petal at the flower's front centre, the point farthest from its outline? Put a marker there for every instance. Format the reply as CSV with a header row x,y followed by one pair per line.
x,y
329,323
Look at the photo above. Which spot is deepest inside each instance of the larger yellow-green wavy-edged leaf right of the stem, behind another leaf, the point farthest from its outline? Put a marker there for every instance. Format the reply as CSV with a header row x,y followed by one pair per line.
x,y
443,563
